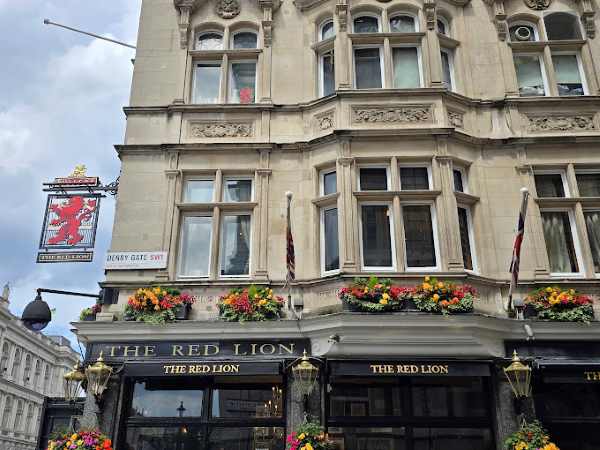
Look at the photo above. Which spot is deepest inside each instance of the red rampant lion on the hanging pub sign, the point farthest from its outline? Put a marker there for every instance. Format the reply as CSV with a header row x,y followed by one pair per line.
x,y
70,216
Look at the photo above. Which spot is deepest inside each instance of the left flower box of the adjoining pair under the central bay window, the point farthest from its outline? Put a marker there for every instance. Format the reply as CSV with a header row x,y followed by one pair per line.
x,y
374,295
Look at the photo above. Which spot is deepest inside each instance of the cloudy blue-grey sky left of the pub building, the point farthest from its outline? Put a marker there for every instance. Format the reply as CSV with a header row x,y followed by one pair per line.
x,y
61,100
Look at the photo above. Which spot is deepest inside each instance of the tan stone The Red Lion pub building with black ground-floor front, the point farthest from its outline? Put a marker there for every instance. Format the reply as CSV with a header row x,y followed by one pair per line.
x,y
405,131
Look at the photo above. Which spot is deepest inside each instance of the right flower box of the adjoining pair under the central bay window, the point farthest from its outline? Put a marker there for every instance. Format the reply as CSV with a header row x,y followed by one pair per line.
x,y
444,297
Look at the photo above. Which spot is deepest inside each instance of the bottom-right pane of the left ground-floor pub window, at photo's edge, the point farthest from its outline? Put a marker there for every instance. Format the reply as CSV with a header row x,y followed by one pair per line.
x,y
257,438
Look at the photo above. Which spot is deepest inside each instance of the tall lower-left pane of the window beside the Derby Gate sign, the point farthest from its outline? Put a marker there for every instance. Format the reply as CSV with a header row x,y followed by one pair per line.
x,y
195,246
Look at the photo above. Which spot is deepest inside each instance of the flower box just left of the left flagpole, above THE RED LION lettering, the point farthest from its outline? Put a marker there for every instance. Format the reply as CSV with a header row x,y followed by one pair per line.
x,y
250,304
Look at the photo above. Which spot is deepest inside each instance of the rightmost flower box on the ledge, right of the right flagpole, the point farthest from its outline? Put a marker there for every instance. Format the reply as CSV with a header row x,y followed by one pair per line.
x,y
562,305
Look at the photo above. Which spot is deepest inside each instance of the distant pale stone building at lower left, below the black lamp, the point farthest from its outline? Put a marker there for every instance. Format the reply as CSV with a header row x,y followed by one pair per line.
x,y
32,366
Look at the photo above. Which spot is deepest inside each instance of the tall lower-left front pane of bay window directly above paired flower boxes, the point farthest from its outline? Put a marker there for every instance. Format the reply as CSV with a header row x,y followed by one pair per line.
x,y
377,243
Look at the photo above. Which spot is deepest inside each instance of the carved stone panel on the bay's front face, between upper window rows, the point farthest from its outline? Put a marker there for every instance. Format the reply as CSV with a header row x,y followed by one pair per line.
x,y
392,114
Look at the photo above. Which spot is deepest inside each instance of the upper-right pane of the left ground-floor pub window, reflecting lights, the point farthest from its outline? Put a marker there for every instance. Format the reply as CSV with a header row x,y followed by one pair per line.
x,y
257,402
